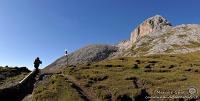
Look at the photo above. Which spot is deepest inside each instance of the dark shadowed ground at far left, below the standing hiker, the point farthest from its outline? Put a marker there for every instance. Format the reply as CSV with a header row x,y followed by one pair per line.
x,y
11,87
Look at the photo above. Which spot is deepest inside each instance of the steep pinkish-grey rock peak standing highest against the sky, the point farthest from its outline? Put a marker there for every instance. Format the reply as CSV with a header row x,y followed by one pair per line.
x,y
152,24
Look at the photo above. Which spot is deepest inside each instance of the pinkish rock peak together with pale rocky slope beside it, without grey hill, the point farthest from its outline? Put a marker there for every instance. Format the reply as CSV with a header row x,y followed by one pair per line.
x,y
157,36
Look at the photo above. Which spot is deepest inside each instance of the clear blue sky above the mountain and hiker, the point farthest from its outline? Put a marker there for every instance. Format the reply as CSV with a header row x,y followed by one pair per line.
x,y
45,28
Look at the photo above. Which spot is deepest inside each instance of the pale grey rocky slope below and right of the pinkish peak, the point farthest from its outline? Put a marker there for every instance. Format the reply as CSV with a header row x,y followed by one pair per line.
x,y
179,39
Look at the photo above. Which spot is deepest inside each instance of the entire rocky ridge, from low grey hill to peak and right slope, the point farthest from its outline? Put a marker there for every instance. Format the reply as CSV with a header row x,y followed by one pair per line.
x,y
154,35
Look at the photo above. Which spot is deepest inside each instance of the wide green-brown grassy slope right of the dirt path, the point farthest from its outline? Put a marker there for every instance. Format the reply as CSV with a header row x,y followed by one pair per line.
x,y
111,79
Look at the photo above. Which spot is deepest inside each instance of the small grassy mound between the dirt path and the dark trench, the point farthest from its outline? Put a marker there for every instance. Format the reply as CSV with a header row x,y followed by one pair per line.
x,y
56,88
